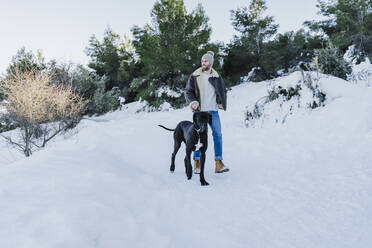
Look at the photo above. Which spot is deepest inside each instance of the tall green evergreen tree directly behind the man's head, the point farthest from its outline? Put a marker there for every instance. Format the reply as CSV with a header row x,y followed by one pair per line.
x,y
169,50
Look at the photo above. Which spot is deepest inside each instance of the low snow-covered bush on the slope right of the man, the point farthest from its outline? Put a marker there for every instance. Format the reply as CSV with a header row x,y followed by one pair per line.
x,y
284,98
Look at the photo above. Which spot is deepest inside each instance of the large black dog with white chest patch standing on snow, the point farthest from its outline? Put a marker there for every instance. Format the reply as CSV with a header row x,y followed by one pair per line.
x,y
191,133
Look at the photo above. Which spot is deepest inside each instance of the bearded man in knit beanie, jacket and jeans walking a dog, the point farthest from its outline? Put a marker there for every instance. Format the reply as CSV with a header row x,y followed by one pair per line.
x,y
206,91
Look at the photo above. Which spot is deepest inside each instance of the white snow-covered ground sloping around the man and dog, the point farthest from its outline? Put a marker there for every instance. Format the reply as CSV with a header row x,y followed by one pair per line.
x,y
306,183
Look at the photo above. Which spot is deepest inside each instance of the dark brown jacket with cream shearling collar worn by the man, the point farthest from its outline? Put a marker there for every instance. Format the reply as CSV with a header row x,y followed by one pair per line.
x,y
194,88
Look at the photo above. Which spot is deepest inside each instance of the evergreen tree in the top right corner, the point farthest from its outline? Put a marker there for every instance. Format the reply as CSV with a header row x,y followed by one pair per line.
x,y
349,23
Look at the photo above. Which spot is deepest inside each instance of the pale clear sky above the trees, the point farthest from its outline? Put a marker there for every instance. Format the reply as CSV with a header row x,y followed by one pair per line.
x,y
61,29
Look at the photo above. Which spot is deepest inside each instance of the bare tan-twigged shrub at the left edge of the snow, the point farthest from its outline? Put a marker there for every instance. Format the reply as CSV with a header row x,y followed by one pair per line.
x,y
39,108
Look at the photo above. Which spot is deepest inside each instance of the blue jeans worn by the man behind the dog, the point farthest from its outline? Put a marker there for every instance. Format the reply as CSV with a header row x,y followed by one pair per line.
x,y
217,137
